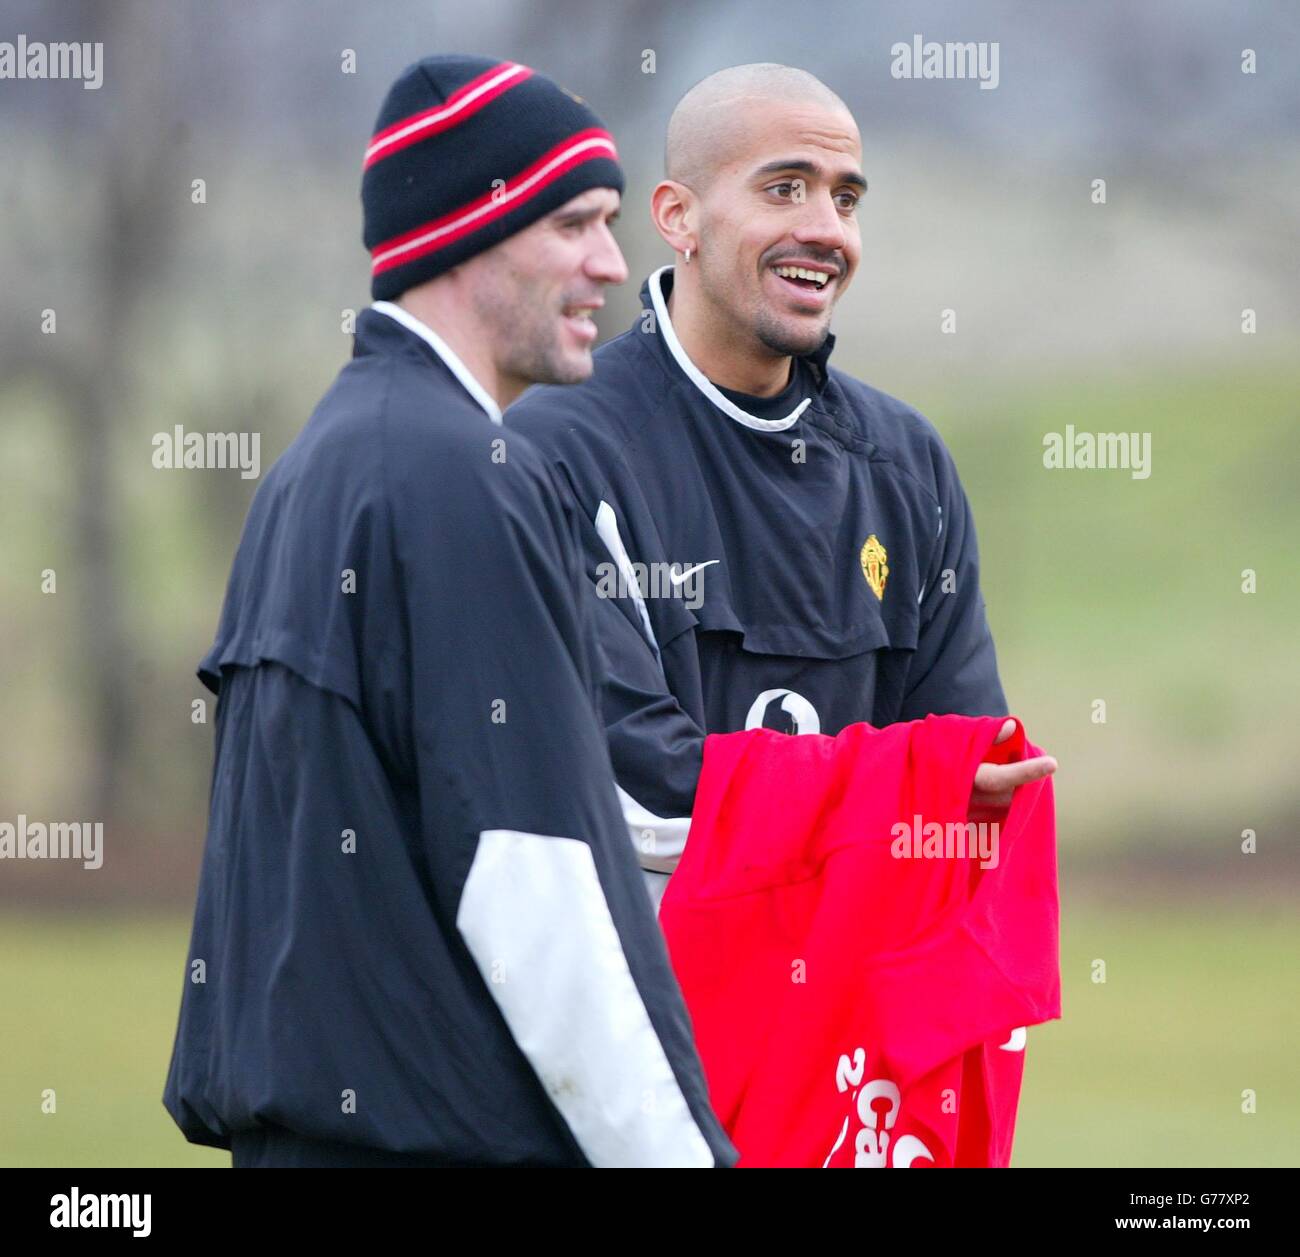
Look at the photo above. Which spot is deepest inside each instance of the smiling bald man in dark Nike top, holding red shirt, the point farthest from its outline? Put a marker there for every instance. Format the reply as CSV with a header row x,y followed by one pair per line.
x,y
824,526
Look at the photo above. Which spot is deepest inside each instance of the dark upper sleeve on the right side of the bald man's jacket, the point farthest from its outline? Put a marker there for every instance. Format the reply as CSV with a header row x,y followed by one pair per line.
x,y
955,667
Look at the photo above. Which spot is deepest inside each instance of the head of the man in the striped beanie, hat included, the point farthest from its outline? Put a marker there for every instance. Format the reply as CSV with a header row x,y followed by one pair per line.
x,y
491,163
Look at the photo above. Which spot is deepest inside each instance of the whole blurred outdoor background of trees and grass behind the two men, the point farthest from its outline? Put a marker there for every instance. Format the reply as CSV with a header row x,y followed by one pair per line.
x,y
1124,317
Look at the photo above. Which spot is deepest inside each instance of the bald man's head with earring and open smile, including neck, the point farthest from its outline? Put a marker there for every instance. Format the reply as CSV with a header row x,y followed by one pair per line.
x,y
760,203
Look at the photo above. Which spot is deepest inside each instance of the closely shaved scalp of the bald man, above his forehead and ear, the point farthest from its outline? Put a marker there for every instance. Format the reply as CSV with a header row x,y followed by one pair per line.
x,y
709,119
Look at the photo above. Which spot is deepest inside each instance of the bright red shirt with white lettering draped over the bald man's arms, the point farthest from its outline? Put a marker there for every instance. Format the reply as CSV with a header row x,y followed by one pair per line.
x,y
851,1007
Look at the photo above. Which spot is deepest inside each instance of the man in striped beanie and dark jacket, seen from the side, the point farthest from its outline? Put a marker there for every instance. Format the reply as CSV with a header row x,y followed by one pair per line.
x,y
421,935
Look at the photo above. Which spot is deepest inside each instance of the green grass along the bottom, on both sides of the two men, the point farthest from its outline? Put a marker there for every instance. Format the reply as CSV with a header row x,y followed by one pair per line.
x,y
1145,1070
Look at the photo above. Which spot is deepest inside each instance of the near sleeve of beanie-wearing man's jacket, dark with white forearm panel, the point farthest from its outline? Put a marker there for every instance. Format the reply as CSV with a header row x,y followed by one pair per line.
x,y
523,833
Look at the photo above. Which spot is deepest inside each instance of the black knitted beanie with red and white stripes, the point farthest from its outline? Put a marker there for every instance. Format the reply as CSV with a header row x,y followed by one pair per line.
x,y
467,151
